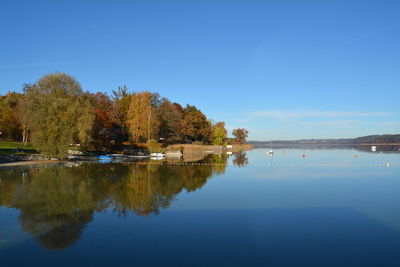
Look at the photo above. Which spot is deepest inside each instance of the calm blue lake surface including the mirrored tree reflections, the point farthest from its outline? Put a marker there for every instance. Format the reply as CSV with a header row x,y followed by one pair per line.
x,y
328,208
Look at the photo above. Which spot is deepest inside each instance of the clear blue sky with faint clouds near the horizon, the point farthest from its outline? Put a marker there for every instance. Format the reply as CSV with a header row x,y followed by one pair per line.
x,y
282,69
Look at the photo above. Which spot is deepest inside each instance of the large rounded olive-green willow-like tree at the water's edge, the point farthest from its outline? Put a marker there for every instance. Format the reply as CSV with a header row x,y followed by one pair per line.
x,y
59,113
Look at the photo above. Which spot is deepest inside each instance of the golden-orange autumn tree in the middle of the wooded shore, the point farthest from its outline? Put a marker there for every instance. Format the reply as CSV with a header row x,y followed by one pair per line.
x,y
143,117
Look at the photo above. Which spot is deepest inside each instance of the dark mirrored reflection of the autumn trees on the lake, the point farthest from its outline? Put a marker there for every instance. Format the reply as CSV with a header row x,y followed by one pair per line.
x,y
56,203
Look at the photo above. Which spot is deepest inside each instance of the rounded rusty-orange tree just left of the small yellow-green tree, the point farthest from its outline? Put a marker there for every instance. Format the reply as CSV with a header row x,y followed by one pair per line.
x,y
195,125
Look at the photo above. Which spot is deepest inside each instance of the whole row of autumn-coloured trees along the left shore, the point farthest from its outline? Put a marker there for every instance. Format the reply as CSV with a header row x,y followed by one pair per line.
x,y
55,112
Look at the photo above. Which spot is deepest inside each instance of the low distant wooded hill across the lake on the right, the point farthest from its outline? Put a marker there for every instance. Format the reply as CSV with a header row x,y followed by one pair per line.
x,y
386,139
